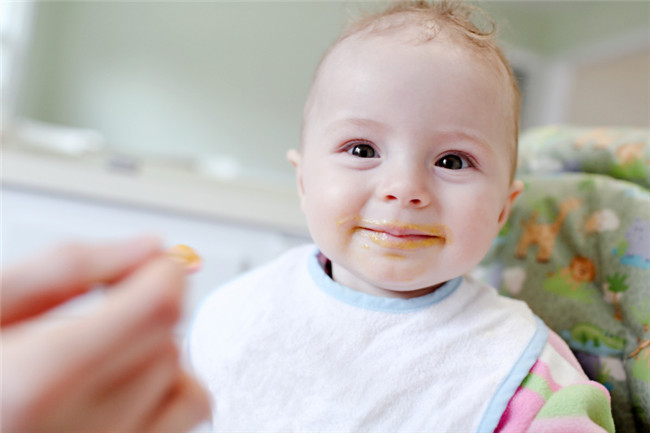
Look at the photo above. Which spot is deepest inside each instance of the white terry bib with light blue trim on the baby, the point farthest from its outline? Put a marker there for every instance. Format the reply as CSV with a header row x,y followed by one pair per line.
x,y
285,348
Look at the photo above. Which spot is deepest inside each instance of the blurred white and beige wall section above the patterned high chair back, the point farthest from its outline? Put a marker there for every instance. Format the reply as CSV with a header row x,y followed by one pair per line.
x,y
604,82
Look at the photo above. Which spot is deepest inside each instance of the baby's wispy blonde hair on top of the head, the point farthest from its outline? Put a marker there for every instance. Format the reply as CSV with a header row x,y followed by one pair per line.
x,y
463,24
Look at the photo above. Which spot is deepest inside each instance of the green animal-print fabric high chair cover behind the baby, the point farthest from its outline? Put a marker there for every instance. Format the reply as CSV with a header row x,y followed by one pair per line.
x,y
576,248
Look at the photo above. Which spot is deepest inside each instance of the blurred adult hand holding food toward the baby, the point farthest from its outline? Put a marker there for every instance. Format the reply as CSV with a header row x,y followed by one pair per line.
x,y
116,369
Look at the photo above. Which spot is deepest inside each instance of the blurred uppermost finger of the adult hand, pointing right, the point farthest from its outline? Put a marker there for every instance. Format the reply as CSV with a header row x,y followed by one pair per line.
x,y
55,276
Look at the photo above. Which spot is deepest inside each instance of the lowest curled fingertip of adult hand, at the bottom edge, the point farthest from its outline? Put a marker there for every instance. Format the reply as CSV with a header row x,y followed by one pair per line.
x,y
184,408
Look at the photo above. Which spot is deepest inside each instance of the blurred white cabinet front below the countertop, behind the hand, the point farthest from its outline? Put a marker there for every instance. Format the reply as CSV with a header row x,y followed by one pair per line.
x,y
33,221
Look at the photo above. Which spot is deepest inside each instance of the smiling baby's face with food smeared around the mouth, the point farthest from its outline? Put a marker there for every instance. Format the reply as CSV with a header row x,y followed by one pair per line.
x,y
405,167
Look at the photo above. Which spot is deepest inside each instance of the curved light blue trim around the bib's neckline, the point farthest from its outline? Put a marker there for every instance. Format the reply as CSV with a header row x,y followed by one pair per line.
x,y
376,303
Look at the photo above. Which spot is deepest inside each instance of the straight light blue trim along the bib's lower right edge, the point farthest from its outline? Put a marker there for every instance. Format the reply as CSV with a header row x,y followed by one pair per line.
x,y
511,383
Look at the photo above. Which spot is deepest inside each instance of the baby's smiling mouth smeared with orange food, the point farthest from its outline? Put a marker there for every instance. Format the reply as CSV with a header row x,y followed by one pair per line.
x,y
405,236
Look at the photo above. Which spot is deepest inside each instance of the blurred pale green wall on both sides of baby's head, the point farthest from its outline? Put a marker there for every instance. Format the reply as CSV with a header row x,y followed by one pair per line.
x,y
196,79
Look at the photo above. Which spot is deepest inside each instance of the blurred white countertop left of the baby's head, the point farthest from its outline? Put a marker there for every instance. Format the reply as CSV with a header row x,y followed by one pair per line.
x,y
155,186
